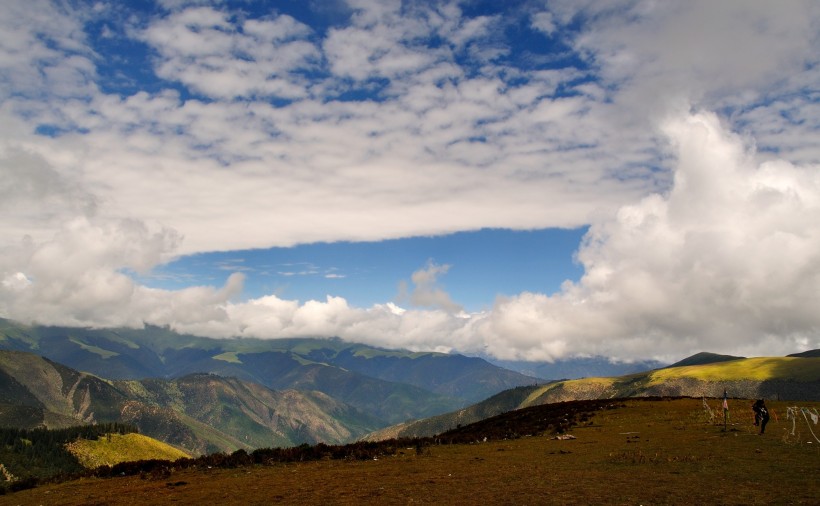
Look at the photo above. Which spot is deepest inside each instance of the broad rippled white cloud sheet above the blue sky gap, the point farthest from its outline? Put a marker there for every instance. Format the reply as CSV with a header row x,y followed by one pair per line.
x,y
446,152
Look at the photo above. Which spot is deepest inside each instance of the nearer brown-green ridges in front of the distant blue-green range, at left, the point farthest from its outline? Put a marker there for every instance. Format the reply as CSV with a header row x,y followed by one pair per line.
x,y
202,413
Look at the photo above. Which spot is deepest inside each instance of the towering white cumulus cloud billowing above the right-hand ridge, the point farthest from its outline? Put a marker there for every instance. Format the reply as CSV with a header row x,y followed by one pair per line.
x,y
726,261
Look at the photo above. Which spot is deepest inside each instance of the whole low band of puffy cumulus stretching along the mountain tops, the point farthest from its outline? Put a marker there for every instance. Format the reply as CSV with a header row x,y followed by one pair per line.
x,y
726,260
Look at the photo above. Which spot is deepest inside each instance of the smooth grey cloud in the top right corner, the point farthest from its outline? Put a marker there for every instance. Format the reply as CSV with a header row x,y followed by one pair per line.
x,y
663,57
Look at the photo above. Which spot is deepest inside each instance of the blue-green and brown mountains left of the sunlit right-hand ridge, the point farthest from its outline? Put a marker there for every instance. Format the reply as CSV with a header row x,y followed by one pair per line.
x,y
206,395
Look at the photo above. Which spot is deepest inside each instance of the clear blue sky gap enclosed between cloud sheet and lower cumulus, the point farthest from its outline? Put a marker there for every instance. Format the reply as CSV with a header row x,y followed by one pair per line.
x,y
480,265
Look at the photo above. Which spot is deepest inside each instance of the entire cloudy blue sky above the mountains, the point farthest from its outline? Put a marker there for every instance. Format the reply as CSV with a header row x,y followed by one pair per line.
x,y
524,180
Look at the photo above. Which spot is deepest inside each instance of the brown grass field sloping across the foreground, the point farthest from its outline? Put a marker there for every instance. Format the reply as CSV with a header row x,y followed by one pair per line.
x,y
647,452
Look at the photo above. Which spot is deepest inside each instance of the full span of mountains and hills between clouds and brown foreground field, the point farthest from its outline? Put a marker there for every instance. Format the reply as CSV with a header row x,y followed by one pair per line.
x,y
208,395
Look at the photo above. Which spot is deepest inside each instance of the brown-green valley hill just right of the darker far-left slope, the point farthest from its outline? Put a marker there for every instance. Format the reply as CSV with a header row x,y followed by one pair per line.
x,y
247,415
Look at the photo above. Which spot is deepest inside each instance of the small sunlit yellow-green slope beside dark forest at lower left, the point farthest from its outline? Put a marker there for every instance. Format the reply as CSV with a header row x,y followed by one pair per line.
x,y
116,448
